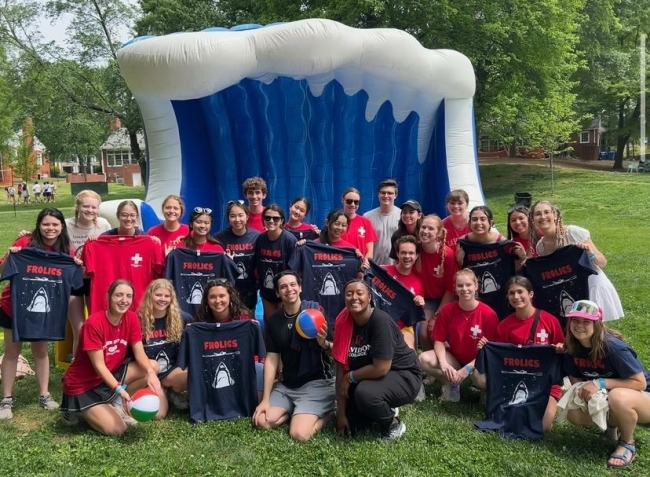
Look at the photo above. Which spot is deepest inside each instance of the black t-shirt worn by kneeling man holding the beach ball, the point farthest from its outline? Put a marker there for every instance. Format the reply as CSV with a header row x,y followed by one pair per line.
x,y
279,333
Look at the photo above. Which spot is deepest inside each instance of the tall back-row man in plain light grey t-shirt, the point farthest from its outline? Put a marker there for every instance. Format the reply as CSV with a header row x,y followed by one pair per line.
x,y
384,220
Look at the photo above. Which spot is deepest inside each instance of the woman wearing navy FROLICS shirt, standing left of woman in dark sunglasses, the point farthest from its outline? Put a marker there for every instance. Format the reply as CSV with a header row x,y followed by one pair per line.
x,y
239,241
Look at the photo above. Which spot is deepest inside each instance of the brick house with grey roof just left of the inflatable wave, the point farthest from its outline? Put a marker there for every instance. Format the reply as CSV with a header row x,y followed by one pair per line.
x,y
118,163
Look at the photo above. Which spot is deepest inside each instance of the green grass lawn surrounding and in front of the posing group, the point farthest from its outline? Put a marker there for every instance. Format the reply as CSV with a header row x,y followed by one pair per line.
x,y
440,439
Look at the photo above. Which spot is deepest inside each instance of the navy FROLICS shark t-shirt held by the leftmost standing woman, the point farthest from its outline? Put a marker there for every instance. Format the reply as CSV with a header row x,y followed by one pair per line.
x,y
41,283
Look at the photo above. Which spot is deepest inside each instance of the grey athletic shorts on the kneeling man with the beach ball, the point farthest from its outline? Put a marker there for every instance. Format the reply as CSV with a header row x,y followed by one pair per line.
x,y
315,397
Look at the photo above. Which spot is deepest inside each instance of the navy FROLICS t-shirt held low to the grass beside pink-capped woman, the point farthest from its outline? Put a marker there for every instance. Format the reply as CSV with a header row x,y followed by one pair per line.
x,y
519,380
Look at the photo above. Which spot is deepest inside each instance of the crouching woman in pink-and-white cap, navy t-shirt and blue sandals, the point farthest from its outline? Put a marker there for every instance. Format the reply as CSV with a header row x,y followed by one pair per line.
x,y
599,356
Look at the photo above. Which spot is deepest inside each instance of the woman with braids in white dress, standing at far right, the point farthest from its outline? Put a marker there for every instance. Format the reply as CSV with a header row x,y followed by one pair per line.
x,y
547,219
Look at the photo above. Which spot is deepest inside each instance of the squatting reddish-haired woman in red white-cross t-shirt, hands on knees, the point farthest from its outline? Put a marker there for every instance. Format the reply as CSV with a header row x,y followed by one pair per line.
x,y
461,324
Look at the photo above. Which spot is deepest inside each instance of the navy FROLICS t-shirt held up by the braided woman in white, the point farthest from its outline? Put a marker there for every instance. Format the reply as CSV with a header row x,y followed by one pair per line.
x,y
559,279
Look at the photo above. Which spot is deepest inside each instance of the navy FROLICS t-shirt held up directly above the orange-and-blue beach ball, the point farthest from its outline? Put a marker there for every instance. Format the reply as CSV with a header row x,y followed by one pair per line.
x,y
325,270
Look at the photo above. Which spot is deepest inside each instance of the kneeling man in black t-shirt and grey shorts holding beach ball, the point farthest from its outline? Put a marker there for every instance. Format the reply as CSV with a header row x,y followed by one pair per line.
x,y
305,394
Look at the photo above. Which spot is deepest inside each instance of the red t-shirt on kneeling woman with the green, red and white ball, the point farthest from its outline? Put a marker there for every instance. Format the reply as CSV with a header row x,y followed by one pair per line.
x,y
98,333
